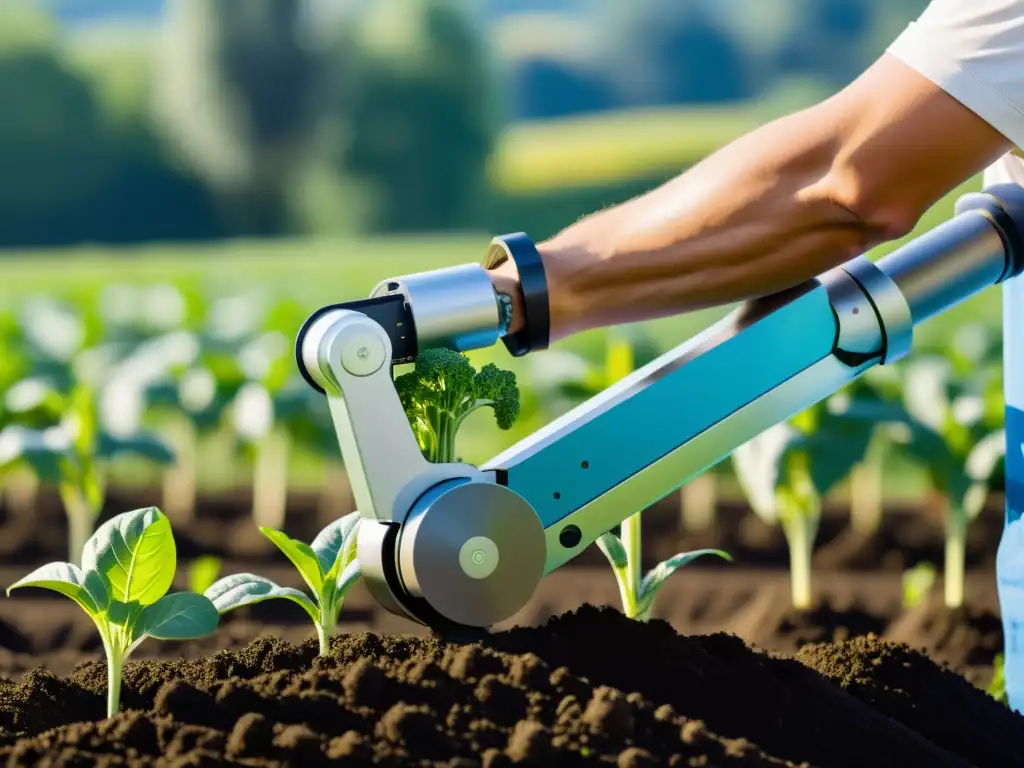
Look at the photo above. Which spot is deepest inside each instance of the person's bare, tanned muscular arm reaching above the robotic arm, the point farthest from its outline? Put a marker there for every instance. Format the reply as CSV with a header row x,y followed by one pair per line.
x,y
774,208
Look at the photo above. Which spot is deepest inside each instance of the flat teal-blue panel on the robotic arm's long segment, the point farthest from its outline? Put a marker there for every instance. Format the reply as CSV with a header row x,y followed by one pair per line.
x,y
652,413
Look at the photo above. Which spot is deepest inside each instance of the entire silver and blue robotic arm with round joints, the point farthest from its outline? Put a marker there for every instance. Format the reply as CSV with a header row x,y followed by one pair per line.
x,y
454,546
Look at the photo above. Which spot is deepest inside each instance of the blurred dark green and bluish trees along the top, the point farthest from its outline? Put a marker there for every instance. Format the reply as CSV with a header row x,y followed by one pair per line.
x,y
274,117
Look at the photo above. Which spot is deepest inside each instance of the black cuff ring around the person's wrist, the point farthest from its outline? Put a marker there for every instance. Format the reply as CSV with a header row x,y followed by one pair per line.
x,y
536,333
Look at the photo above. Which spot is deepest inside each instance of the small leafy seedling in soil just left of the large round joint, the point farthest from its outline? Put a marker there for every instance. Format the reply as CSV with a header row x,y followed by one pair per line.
x,y
329,568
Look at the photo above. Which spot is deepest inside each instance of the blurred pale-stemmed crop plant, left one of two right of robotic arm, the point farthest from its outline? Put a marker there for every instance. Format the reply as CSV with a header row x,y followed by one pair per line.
x,y
787,473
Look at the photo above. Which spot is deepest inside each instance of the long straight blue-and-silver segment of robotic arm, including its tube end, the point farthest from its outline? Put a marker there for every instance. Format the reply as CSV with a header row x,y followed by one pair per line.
x,y
670,421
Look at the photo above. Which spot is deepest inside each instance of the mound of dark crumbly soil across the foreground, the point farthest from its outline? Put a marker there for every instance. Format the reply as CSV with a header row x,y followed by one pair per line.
x,y
589,688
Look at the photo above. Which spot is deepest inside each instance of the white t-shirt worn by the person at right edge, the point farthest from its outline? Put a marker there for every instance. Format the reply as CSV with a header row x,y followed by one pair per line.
x,y
974,51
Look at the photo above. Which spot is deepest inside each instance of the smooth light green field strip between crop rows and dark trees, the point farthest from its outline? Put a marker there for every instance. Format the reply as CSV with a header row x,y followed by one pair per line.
x,y
320,272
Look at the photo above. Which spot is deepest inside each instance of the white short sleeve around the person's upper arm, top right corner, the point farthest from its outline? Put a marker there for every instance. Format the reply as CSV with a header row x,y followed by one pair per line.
x,y
974,51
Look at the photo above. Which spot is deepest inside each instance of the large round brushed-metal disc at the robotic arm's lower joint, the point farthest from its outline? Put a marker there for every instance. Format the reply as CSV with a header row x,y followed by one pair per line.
x,y
475,551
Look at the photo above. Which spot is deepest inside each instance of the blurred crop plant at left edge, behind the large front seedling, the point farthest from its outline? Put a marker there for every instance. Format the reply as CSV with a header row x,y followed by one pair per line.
x,y
63,441
